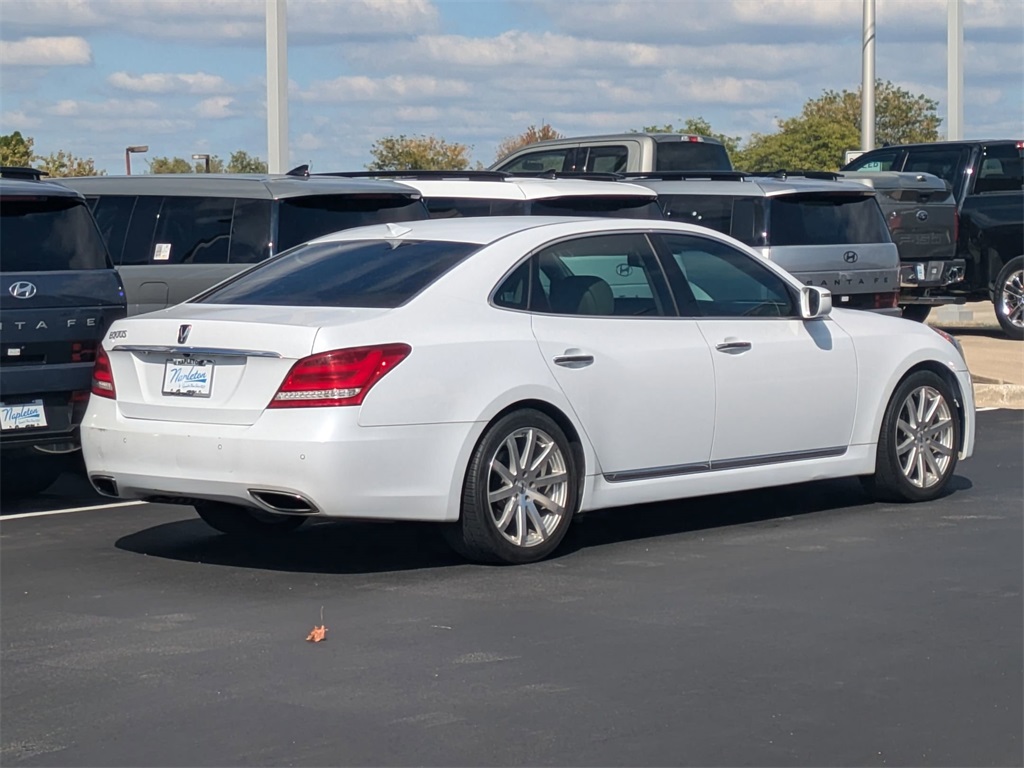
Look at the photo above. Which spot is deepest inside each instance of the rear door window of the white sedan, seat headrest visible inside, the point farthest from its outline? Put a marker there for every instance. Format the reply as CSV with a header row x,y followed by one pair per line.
x,y
615,276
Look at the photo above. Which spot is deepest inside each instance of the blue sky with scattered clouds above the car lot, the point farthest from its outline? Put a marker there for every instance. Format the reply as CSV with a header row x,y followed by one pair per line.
x,y
93,77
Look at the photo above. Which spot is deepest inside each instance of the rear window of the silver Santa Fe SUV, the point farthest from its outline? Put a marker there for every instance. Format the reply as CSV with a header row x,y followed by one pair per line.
x,y
826,221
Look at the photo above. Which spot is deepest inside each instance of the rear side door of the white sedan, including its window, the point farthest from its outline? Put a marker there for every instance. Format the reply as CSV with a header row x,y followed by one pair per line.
x,y
638,377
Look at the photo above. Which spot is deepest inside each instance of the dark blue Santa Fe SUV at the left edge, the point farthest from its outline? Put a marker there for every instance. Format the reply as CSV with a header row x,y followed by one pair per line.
x,y
59,294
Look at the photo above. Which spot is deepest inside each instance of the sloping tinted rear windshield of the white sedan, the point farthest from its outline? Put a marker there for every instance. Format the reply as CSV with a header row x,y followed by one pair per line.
x,y
358,274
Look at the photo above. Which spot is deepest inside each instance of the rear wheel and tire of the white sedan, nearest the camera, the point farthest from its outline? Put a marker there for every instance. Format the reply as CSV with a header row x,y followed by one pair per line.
x,y
533,531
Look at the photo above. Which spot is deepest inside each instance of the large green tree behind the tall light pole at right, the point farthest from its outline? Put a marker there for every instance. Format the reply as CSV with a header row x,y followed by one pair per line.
x,y
830,125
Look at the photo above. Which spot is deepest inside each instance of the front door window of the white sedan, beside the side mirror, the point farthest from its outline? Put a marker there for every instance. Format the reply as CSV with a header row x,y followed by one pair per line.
x,y
728,283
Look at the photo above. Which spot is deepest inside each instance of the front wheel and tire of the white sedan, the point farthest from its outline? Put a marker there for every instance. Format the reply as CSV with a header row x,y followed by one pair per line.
x,y
900,475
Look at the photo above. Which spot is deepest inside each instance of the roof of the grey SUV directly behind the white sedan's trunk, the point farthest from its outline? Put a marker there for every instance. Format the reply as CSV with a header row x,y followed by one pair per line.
x,y
255,186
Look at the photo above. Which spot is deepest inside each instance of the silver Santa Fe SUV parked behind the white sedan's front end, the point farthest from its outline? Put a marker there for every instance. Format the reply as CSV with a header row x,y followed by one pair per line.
x,y
826,232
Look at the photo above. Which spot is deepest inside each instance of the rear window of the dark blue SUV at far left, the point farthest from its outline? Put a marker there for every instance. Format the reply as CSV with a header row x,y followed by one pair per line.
x,y
50,235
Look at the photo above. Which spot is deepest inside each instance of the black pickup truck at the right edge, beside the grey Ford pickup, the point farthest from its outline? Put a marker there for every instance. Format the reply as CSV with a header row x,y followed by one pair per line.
x,y
988,265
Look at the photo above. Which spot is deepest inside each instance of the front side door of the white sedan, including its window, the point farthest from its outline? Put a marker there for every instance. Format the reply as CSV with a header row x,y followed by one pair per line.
x,y
786,388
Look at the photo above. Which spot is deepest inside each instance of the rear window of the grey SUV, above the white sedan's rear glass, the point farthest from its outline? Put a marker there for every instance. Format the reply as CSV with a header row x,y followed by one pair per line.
x,y
303,220
